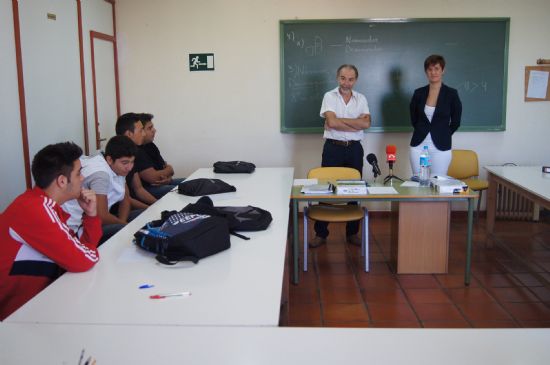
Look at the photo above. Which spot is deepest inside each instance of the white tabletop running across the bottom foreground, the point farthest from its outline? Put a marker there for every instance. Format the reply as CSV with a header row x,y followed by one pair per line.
x,y
63,344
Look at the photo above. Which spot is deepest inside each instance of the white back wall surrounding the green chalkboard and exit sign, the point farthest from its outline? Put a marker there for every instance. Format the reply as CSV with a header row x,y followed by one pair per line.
x,y
233,112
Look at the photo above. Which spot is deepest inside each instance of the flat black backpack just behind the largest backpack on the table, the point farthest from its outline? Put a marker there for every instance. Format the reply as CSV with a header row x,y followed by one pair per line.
x,y
245,218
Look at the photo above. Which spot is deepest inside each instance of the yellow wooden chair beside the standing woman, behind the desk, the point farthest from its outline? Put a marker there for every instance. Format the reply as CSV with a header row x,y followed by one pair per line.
x,y
465,166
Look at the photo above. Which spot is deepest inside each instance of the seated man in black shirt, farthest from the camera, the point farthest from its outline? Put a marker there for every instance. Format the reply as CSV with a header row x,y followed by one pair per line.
x,y
155,173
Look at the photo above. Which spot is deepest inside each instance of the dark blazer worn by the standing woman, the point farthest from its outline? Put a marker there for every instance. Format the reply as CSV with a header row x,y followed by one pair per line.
x,y
445,121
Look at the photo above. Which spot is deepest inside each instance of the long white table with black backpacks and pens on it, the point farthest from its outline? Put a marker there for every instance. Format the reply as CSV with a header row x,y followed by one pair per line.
x,y
238,287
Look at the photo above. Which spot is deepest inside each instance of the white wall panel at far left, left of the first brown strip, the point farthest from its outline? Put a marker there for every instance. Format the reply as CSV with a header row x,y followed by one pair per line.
x,y
12,178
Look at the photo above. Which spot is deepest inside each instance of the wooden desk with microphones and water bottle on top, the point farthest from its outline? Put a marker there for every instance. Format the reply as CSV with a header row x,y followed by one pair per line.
x,y
424,197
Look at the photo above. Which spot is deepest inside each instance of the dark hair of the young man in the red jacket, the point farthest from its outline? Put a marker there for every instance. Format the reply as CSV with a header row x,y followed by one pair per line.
x,y
54,160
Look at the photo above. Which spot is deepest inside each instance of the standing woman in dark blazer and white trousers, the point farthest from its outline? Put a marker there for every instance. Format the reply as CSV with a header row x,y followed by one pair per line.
x,y
435,115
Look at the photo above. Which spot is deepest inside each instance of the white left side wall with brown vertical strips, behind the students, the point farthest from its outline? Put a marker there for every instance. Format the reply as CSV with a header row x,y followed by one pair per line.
x,y
51,73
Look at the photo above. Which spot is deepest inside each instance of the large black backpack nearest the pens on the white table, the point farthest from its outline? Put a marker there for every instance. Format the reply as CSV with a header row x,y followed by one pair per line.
x,y
181,236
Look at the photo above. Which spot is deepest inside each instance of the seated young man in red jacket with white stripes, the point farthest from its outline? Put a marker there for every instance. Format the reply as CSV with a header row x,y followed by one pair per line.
x,y
35,243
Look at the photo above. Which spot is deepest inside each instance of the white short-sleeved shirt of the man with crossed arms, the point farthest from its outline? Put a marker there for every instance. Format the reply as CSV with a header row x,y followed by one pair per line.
x,y
334,102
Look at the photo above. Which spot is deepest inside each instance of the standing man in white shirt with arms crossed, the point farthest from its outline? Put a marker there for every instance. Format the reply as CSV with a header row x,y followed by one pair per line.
x,y
346,114
